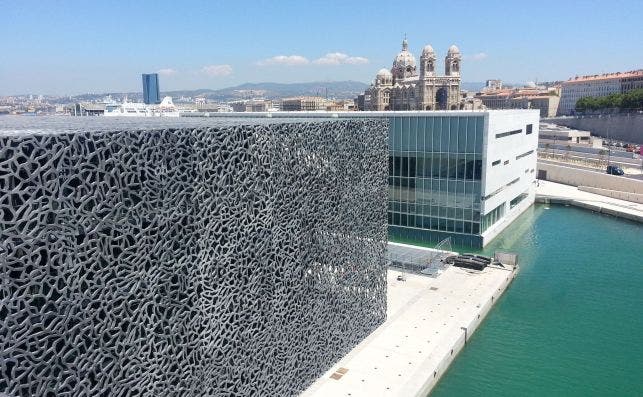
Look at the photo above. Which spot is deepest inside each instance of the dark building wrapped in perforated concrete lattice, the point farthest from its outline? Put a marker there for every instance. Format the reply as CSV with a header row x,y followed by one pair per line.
x,y
187,257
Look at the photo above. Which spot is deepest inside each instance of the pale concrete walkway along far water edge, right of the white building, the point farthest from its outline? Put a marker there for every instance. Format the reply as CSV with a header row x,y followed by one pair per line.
x,y
557,193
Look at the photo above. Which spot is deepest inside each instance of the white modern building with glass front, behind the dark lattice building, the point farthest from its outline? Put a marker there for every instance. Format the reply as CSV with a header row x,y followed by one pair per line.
x,y
463,175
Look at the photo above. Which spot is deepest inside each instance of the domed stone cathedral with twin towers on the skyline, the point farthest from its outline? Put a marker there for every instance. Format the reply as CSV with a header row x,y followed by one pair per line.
x,y
402,88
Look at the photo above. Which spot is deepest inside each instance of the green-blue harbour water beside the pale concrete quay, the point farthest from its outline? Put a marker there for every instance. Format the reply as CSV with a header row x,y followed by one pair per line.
x,y
571,324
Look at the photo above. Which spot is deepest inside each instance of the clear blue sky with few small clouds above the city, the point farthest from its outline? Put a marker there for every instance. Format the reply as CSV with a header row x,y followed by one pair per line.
x,y
70,47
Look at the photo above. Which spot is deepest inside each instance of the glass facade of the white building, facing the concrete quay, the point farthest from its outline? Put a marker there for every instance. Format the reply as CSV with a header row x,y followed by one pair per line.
x,y
435,169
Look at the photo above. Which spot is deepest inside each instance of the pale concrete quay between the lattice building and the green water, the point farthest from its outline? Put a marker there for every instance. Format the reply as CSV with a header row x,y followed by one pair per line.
x,y
428,322
